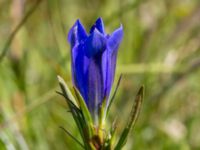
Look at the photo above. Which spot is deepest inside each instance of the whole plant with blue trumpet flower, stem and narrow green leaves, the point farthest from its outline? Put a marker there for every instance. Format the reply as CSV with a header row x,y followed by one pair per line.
x,y
93,63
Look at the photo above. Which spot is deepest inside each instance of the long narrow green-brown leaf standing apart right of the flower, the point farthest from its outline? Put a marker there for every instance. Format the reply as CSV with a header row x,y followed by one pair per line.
x,y
132,119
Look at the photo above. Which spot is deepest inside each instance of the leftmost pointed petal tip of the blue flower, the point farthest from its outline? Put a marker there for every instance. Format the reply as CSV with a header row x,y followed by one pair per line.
x,y
76,34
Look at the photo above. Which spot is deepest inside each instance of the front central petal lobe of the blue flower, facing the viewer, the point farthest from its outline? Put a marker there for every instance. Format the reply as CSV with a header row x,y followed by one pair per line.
x,y
95,44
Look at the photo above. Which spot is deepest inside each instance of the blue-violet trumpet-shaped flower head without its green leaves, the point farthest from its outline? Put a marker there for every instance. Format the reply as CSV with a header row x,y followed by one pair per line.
x,y
93,58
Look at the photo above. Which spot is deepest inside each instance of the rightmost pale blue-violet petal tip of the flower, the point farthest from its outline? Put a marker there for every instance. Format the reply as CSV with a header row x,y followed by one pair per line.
x,y
115,39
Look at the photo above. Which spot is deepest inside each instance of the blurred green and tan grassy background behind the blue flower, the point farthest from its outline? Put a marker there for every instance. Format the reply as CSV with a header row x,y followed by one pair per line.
x,y
160,49
